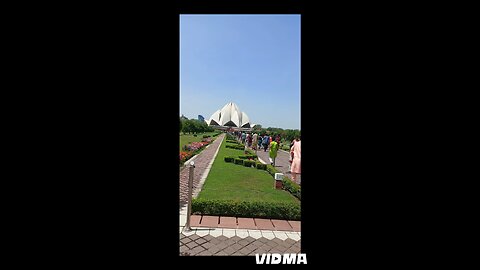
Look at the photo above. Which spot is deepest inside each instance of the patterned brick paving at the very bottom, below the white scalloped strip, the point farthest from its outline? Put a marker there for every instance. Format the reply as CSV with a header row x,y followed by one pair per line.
x,y
234,246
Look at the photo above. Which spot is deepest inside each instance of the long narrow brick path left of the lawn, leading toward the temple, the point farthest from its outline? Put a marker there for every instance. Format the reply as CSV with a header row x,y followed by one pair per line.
x,y
201,163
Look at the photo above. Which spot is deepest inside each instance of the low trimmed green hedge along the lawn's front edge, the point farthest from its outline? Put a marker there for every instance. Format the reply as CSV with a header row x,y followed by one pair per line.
x,y
270,210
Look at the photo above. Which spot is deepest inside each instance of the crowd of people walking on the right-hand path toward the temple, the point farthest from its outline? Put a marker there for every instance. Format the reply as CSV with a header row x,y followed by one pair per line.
x,y
258,142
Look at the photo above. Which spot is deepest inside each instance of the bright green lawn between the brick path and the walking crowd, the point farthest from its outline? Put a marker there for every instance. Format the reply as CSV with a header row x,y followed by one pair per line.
x,y
227,181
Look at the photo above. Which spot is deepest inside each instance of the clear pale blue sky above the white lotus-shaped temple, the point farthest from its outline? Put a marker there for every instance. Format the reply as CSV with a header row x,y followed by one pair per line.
x,y
251,60
